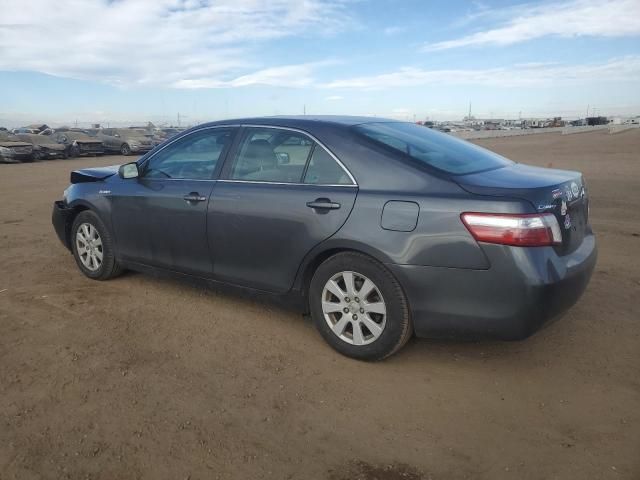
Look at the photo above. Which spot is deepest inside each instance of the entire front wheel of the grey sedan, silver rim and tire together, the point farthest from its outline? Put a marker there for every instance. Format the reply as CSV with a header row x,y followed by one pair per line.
x,y
93,247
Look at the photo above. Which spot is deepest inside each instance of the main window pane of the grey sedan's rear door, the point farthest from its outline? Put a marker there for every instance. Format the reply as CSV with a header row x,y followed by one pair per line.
x,y
271,155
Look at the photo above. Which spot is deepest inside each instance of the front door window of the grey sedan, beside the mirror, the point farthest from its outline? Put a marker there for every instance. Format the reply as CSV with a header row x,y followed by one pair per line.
x,y
192,157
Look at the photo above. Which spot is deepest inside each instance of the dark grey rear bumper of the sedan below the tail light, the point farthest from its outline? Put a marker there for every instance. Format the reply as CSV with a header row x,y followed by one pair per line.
x,y
524,289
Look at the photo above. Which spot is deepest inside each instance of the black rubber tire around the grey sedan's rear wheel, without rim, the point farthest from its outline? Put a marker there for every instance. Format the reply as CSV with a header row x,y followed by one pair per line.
x,y
398,327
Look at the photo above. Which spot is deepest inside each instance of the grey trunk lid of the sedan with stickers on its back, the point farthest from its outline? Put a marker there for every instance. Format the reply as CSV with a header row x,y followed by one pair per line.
x,y
561,192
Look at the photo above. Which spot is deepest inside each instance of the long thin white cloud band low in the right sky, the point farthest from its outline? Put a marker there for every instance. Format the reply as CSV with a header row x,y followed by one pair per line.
x,y
524,75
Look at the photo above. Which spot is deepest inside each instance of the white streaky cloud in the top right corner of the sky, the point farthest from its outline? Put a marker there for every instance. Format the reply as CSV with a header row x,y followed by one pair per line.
x,y
605,18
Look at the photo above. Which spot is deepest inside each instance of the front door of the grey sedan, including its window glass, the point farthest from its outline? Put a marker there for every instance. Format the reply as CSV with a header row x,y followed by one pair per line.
x,y
160,218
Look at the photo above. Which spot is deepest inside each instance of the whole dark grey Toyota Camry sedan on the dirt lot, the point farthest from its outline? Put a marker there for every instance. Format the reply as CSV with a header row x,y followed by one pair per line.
x,y
379,229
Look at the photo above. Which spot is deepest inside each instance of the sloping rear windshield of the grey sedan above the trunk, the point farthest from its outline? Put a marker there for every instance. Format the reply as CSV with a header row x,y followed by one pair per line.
x,y
435,149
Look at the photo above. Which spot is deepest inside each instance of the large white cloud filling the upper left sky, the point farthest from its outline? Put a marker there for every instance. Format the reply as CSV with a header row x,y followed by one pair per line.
x,y
180,43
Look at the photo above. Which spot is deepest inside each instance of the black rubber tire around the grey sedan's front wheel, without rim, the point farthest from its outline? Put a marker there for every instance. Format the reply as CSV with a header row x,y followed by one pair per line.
x,y
109,268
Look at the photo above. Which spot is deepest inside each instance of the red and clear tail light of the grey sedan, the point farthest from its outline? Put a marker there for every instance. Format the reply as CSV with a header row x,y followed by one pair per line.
x,y
529,230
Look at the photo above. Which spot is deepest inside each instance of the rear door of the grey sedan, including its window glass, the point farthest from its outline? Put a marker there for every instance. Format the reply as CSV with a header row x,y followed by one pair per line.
x,y
281,194
